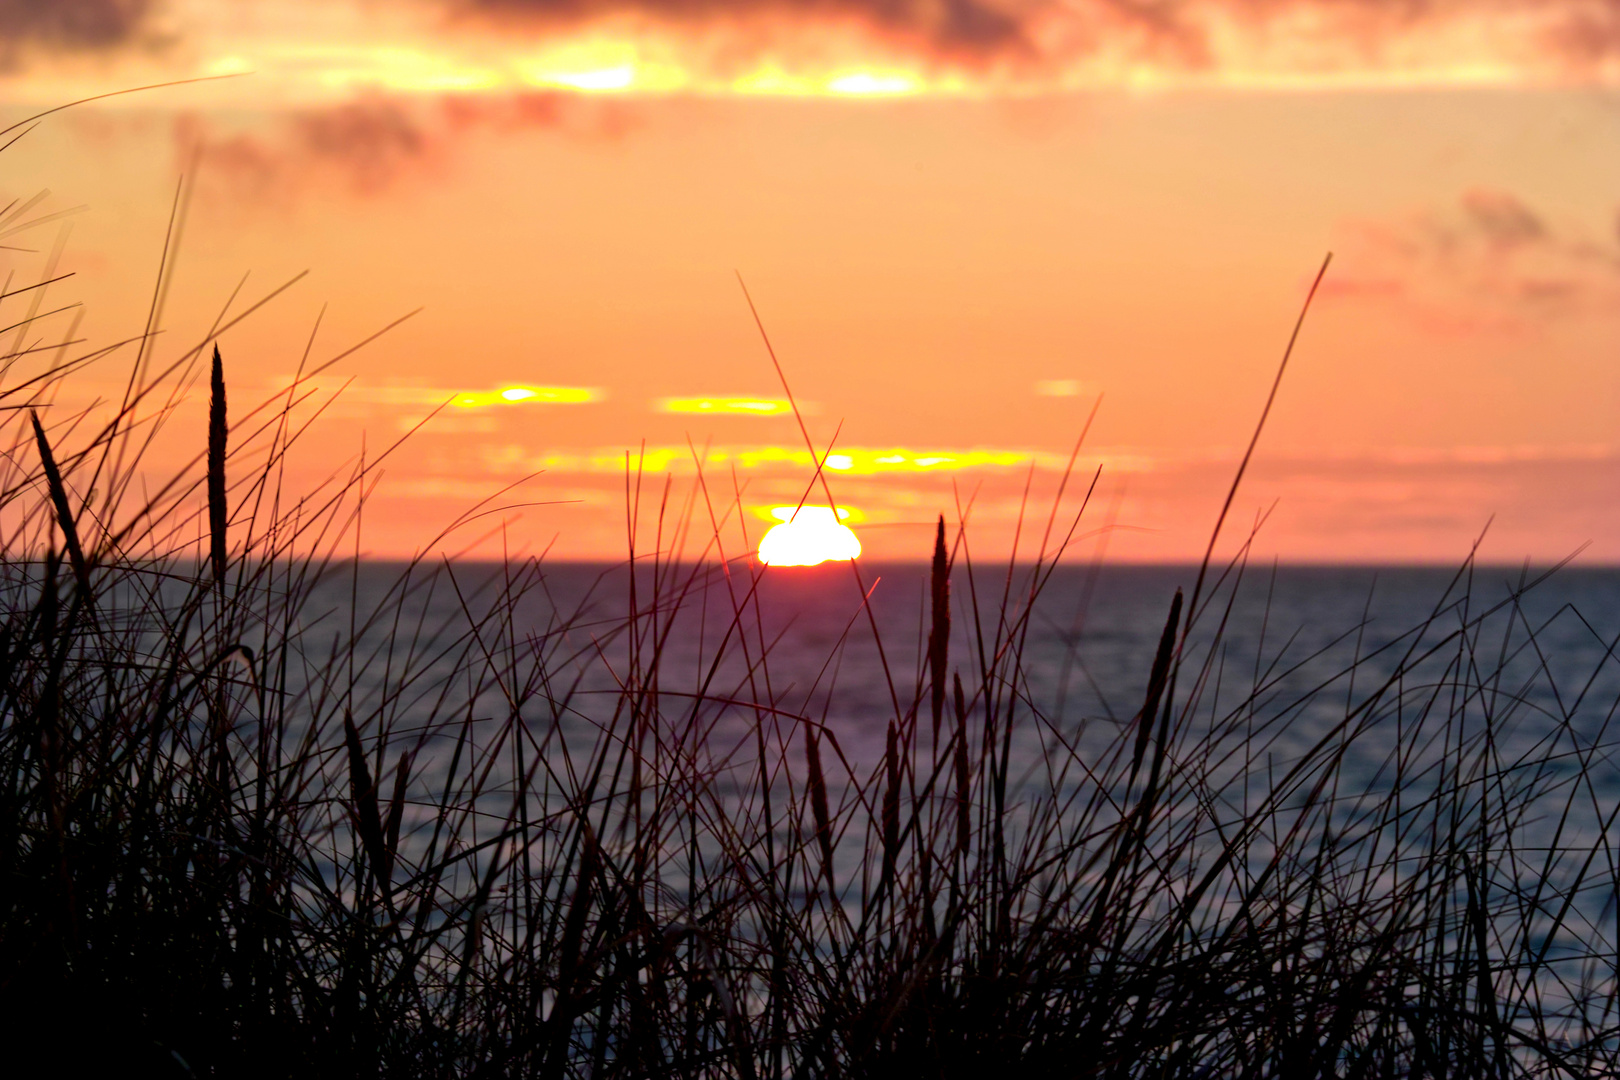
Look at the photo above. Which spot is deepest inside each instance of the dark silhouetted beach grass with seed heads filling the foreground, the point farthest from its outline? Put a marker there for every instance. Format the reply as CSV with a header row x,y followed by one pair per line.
x,y
242,835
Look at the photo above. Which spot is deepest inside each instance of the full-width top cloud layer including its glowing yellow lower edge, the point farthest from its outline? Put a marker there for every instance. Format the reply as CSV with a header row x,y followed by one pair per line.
x,y
803,46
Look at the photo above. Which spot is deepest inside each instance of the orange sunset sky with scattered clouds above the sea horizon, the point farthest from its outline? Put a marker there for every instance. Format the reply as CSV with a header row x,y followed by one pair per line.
x,y
973,232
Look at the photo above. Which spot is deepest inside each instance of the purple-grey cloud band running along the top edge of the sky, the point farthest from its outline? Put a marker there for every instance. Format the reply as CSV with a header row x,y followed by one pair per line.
x,y
1031,45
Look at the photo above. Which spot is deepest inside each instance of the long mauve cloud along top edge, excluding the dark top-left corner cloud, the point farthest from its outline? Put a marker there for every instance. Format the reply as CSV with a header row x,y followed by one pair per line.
x,y
1109,41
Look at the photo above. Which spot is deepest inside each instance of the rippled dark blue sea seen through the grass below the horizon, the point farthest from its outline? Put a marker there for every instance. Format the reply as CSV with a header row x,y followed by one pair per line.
x,y
1402,773
